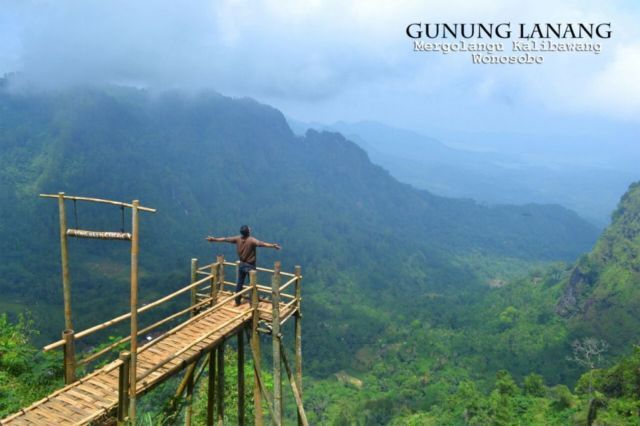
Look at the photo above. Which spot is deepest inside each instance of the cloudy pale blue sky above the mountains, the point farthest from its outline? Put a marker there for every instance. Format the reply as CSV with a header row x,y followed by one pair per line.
x,y
325,61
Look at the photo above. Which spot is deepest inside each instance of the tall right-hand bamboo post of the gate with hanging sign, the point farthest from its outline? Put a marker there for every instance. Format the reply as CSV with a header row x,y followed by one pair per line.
x,y
134,310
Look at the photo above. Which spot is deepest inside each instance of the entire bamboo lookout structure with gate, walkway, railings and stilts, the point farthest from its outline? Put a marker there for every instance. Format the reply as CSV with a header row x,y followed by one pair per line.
x,y
270,307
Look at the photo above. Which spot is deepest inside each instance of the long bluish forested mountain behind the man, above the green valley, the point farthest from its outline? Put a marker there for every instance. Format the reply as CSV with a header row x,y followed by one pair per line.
x,y
210,163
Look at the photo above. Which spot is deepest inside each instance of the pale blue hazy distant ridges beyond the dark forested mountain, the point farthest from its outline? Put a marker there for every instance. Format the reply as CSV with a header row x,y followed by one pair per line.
x,y
583,177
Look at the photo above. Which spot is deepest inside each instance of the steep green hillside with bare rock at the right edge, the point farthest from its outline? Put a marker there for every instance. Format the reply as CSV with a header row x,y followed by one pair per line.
x,y
602,296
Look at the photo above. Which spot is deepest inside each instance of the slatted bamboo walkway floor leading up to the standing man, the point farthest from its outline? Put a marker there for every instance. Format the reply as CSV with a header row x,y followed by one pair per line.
x,y
94,398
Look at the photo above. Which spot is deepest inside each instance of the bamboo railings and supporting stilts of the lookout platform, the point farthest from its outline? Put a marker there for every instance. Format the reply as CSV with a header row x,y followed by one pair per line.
x,y
206,286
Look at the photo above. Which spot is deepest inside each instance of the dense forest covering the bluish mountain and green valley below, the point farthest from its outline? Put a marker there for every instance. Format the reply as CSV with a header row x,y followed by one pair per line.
x,y
444,310
